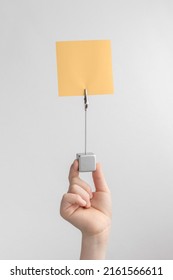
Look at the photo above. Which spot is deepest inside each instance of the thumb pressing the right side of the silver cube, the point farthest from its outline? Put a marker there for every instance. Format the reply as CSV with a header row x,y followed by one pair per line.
x,y
99,179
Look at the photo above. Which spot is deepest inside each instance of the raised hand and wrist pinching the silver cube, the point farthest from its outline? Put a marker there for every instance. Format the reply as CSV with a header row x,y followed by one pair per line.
x,y
89,211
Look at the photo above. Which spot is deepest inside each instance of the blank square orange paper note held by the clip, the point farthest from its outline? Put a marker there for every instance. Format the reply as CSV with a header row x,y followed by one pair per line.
x,y
84,65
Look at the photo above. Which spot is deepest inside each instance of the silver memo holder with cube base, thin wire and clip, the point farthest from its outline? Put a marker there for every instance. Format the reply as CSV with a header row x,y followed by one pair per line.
x,y
87,161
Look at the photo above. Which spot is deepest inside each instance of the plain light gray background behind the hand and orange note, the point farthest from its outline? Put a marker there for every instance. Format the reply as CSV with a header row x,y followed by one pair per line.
x,y
131,132
